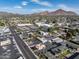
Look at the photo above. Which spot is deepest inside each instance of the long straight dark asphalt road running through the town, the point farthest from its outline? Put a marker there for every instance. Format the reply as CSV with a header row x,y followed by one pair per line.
x,y
27,53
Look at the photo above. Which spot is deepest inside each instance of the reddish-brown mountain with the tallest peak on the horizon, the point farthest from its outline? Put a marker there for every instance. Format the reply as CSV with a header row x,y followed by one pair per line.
x,y
58,12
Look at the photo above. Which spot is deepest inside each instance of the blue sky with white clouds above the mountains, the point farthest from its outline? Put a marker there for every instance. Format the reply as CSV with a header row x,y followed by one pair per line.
x,y
36,6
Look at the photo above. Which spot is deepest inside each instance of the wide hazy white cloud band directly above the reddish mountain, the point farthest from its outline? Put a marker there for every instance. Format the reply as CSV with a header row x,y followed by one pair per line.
x,y
59,6
